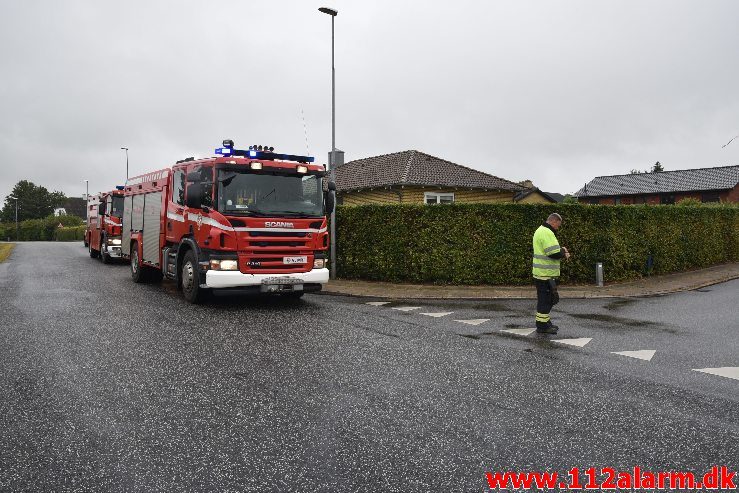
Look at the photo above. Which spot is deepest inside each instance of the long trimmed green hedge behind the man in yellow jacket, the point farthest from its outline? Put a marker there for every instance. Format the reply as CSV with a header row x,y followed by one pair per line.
x,y
491,244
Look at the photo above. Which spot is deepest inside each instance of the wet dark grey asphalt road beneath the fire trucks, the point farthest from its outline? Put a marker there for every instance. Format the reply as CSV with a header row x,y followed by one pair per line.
x,y
111,386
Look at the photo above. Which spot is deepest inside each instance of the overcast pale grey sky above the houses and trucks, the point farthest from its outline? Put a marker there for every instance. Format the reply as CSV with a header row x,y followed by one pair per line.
x,y
553,91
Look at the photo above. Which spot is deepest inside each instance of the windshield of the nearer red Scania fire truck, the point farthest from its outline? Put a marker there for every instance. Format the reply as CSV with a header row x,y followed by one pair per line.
x,y
243,193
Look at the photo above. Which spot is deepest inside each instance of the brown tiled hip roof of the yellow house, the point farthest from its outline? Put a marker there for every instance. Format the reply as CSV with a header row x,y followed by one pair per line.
x,y
414,168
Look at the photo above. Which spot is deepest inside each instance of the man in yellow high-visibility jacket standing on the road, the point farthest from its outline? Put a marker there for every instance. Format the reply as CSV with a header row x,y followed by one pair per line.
x,y
545,269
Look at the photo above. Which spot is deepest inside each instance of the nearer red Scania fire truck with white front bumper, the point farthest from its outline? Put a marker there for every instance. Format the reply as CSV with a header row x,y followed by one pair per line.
x,y
250,220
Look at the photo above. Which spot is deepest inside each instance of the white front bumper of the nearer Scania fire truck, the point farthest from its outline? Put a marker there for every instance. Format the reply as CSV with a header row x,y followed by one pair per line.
x,y
267,283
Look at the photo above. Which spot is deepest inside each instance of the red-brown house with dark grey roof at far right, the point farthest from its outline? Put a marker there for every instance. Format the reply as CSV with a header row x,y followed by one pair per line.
x,y
719,184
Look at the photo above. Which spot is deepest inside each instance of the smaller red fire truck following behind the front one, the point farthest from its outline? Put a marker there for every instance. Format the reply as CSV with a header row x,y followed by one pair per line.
x,y
103,233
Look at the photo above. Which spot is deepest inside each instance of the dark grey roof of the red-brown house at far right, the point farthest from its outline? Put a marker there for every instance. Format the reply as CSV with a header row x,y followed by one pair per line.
x,y
687,180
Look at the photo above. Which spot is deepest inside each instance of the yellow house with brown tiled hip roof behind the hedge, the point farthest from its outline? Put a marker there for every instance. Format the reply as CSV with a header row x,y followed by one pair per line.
x,y
414,177
